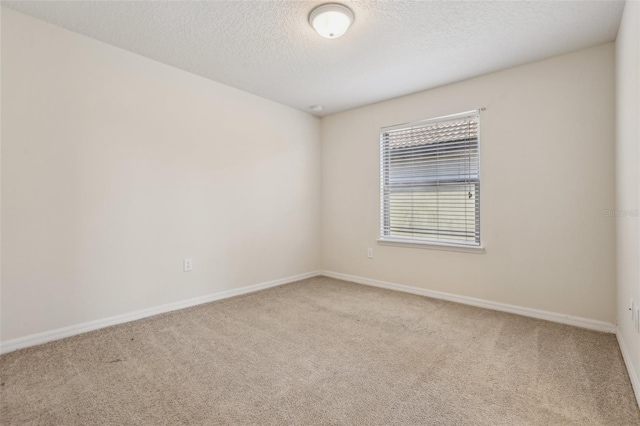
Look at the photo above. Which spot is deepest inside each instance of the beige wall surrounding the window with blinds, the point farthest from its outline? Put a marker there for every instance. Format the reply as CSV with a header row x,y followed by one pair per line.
x,y
547,159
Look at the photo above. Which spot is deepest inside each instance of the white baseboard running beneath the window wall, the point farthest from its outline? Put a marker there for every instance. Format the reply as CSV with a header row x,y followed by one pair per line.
x,y
482,303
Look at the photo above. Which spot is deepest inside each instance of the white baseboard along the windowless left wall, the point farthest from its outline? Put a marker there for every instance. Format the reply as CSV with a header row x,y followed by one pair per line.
x,y
61,333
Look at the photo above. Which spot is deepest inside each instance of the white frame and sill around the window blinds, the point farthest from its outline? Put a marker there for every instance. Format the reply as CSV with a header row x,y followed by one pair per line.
x,y
430,243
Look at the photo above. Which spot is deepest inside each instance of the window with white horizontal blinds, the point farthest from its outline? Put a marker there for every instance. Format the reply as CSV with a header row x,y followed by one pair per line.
x,y
430,181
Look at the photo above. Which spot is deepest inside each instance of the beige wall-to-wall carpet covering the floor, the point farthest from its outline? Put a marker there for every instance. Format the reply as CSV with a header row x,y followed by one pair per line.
x,y
323,352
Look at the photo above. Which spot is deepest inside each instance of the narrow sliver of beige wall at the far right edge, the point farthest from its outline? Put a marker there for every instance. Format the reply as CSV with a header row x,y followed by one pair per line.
x,y
627,176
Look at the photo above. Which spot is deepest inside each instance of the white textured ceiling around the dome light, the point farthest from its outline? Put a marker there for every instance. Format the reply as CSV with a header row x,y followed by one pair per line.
x,y
393,48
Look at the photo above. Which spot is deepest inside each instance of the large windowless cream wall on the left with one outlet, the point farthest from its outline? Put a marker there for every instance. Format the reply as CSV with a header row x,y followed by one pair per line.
x,y
116,167
